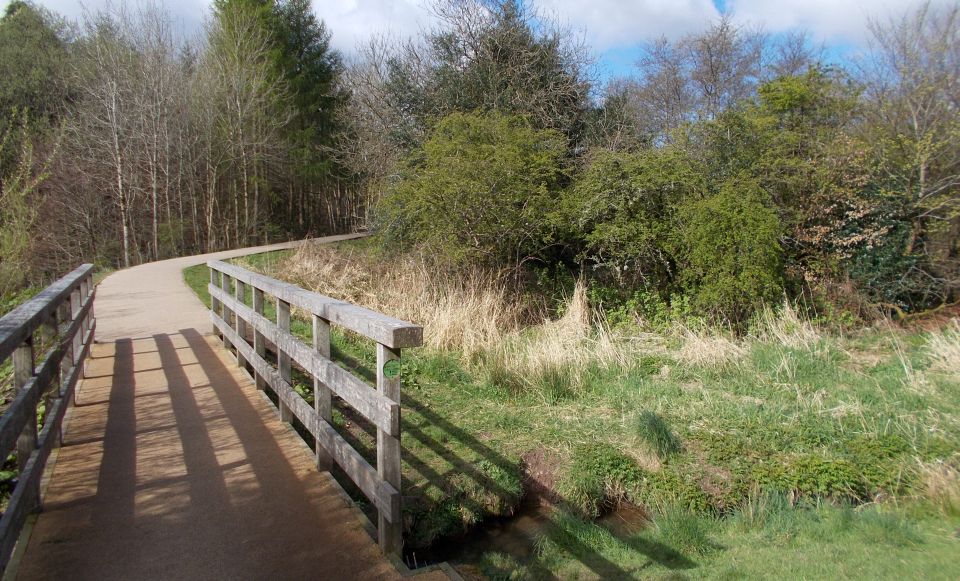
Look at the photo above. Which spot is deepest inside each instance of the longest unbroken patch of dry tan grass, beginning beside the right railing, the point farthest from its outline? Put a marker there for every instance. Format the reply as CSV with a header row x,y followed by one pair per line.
x,y
475,314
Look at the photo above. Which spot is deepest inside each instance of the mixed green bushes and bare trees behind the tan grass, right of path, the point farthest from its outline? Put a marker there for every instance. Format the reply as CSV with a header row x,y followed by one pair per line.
x,y
733,170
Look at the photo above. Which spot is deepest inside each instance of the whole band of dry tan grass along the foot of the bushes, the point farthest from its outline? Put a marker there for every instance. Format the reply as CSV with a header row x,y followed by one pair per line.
x,y
479,315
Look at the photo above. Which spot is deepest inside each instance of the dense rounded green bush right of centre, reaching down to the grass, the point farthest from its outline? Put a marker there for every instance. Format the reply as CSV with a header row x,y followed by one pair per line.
x,y
729,249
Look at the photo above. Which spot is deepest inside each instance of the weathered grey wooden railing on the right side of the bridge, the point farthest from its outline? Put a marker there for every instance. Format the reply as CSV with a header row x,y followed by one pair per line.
x,y
234,321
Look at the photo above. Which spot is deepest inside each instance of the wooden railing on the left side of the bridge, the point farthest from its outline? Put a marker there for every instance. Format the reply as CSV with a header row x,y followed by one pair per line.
x,y
59,322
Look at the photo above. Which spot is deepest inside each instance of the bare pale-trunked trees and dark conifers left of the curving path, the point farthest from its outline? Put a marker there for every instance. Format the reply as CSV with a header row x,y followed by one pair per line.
x,y
124,142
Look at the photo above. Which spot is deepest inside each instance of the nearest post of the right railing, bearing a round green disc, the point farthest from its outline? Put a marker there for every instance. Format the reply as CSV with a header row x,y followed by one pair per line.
x,y
389,531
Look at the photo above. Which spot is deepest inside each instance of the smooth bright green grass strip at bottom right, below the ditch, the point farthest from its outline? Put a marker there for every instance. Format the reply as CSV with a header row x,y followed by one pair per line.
x,y
825,542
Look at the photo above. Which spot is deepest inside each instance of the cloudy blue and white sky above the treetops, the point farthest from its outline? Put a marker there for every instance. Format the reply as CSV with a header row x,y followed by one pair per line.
x,y
614,29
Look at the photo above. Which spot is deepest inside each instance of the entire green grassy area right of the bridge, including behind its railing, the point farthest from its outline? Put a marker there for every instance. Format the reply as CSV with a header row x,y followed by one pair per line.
x,y
783,453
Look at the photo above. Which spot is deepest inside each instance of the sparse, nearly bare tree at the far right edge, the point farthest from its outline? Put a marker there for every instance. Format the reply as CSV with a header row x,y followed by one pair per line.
x,y
912,79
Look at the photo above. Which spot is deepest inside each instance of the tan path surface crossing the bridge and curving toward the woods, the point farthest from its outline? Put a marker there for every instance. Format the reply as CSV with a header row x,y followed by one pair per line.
x,y
173,466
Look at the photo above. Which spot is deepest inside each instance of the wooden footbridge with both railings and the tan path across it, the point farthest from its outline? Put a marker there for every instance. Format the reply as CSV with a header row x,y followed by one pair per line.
x,y
156,451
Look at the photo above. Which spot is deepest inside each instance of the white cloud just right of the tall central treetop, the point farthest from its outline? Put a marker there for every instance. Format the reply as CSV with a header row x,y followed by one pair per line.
x,y
618,23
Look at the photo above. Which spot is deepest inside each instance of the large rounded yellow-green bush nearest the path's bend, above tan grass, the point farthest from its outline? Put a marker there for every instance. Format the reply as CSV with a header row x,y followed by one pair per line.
x,y
479,191
